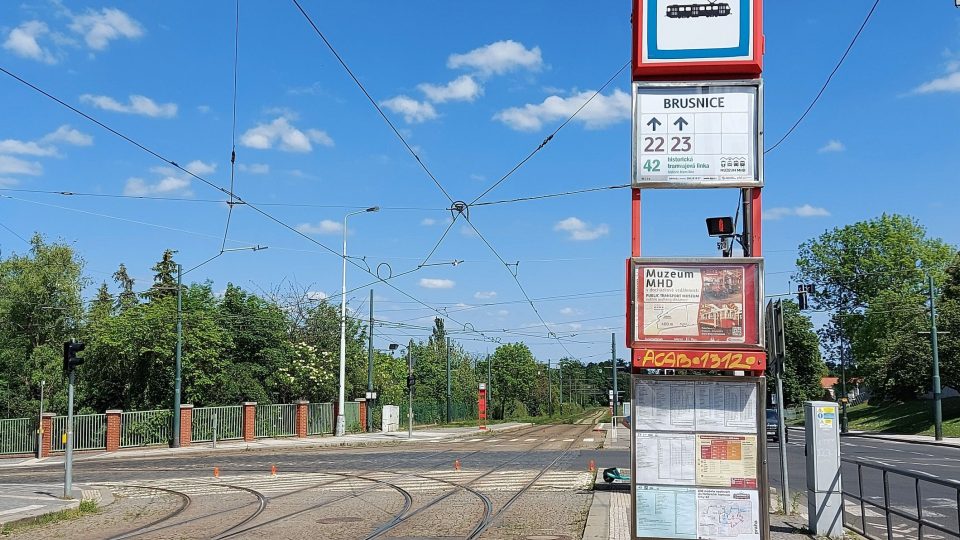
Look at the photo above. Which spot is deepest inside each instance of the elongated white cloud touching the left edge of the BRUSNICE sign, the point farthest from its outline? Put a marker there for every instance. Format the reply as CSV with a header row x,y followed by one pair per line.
x,y
599,113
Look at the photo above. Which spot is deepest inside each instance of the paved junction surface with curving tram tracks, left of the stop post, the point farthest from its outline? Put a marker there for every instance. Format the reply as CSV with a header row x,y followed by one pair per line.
x,y
529,483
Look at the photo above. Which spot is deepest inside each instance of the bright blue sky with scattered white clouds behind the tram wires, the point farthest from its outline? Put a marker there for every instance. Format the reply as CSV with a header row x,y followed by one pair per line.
x,y
473,88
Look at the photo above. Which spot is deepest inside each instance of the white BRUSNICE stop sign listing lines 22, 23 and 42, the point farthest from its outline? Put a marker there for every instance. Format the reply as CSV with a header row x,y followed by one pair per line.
x,y
698,134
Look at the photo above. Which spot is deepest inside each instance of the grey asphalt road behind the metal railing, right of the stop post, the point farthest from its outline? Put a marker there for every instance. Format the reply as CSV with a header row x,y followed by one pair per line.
x,y
938,503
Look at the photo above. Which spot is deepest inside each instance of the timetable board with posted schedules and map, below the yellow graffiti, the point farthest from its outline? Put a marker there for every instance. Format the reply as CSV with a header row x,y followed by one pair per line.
x,y
697,454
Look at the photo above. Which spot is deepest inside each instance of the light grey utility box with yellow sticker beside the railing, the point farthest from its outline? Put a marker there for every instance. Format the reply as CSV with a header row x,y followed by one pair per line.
x,y
822,449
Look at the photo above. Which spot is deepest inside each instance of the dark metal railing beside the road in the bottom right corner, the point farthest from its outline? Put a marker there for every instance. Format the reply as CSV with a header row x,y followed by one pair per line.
x,y
890,517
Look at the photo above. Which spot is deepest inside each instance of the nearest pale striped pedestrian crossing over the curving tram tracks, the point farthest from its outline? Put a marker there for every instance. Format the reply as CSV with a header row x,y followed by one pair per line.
x,y
411,481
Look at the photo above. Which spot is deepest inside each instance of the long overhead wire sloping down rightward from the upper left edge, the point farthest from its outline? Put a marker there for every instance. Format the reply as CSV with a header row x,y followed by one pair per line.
x,y
225,191
